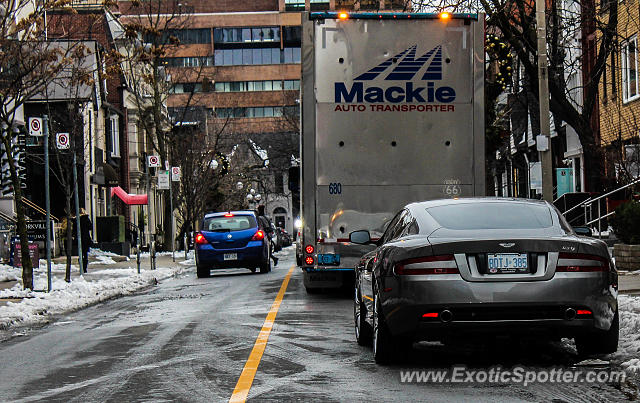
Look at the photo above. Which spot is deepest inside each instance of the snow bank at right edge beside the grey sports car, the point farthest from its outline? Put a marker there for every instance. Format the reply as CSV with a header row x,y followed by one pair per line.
x,y
629,344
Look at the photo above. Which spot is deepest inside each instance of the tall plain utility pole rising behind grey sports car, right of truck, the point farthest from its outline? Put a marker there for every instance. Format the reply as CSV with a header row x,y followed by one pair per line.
x,y
543,100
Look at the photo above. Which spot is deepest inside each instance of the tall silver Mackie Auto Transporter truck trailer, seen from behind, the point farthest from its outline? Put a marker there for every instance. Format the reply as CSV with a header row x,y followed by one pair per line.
x,y
392,113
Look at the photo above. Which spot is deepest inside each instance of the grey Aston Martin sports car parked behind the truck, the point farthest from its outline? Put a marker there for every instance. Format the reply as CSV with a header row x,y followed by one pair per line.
x,y
478,267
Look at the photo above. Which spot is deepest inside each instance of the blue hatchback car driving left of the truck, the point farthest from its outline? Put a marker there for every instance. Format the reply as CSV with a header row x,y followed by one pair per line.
x,y
231,239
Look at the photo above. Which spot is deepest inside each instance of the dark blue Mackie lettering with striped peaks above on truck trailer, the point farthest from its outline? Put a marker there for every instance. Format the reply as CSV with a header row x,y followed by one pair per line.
x,y
407,68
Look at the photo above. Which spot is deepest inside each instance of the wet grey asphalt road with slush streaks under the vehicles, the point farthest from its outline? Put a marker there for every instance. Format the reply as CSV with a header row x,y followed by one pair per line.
x,y
189,339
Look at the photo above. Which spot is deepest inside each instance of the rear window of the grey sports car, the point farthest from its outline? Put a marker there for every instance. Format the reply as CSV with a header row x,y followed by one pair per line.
x,y
479,215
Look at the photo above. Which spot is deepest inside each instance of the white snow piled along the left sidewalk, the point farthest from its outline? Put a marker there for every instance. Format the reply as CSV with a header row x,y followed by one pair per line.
x,y
101,285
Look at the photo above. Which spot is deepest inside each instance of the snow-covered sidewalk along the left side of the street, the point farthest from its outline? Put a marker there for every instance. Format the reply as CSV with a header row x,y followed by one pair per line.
x,y
106,278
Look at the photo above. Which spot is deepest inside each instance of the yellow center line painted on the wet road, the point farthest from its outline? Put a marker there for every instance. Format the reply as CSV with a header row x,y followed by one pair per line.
x,y
245,381
